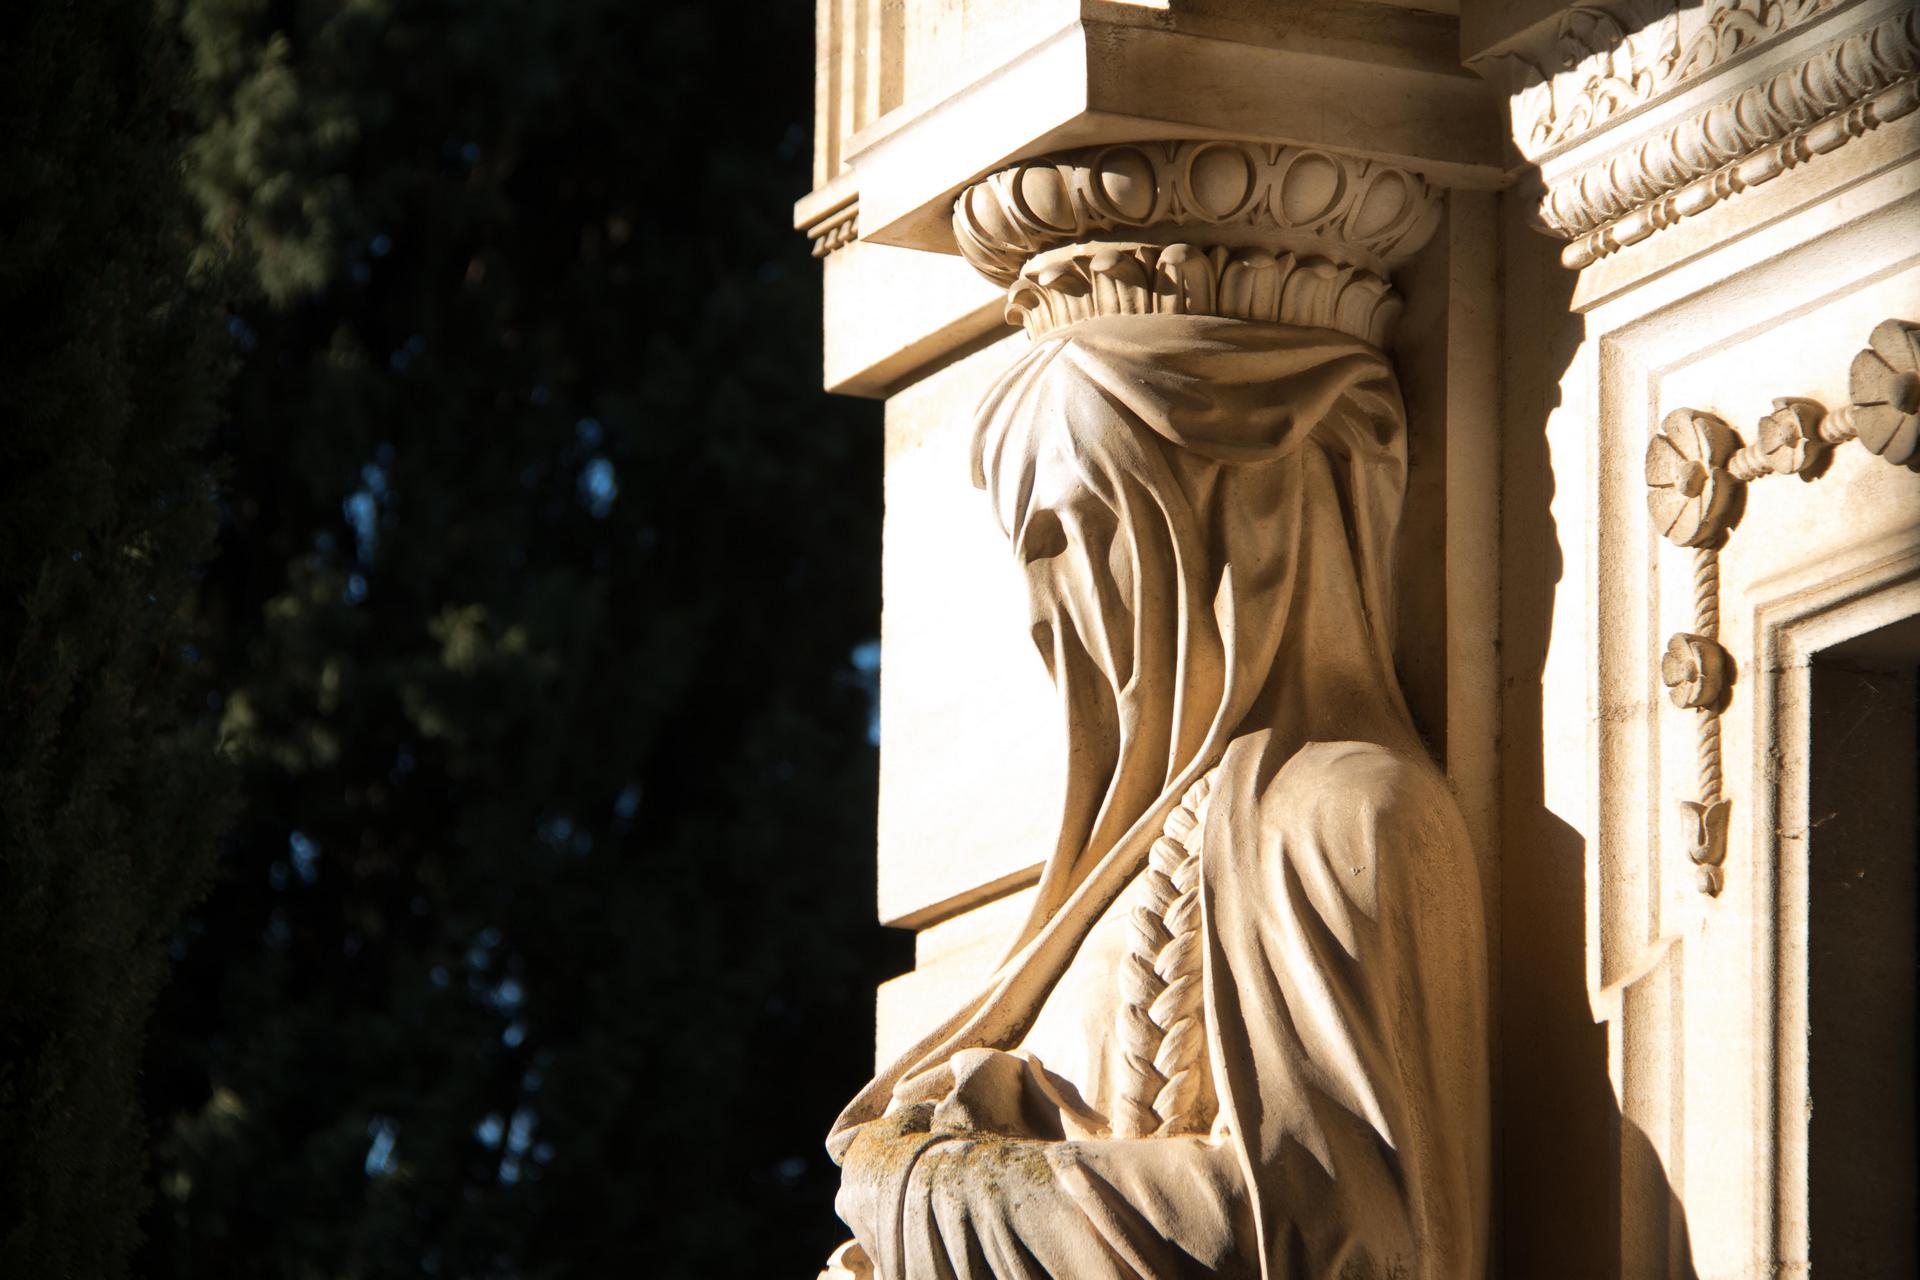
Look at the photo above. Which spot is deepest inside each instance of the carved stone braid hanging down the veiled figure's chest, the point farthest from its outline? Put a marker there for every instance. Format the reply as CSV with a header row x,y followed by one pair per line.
x,y
1166,1087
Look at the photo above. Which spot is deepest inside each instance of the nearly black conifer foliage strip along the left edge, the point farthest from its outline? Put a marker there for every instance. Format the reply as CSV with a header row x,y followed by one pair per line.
x,y
110,794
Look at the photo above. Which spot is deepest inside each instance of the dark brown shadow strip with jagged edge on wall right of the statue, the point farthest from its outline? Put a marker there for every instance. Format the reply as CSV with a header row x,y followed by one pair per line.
x,y
1581,1193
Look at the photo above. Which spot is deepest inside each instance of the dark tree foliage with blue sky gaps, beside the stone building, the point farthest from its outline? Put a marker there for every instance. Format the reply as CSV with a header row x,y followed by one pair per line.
x,y
546,941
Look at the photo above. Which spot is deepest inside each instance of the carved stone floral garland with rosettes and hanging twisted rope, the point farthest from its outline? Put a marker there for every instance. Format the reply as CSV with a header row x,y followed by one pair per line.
x,y
1696,469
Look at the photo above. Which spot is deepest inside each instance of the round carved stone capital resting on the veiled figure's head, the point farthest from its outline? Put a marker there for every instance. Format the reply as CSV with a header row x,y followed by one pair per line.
x,y
1237,229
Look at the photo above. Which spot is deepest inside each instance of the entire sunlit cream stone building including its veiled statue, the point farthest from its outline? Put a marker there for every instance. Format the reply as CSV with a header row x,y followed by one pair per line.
x,y
1403,613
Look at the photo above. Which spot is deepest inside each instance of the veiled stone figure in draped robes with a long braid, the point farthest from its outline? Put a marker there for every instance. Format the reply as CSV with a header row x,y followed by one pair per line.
x,y
1243,1031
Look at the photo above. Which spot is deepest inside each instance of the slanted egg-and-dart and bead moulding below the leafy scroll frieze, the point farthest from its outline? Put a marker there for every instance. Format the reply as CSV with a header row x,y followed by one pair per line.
x,y
1744,141
